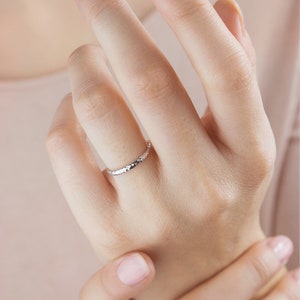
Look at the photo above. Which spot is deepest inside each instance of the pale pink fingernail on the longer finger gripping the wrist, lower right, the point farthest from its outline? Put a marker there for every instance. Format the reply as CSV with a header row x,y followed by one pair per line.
x,y
282,248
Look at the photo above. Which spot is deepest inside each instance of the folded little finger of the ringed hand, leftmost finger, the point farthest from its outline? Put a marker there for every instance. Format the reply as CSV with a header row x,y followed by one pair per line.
x,y
83,184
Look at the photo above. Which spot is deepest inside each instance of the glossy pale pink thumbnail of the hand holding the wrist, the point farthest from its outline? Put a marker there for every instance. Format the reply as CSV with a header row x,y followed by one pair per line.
x,y
133,270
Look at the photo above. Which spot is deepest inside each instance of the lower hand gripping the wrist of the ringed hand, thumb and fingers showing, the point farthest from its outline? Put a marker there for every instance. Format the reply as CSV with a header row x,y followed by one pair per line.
x,y
239,281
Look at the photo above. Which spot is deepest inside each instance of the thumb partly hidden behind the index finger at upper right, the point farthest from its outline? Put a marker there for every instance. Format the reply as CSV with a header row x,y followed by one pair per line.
x,y
231,14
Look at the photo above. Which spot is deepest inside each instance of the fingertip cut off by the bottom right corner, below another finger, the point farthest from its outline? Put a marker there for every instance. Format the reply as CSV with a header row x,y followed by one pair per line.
x,y
288,288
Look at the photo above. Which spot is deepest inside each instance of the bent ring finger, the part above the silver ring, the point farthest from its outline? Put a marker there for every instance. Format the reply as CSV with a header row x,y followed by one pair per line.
x,y
101,110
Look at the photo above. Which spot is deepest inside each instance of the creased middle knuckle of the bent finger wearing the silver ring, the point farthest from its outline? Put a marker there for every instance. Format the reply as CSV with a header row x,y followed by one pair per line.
x,y
94,103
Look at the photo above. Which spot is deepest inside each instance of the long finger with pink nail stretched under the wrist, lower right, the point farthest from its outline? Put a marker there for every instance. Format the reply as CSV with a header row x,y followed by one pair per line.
x,y
248,274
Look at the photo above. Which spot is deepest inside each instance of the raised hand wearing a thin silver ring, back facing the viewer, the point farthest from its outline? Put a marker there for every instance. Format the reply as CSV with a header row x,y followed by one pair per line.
x,y
193,205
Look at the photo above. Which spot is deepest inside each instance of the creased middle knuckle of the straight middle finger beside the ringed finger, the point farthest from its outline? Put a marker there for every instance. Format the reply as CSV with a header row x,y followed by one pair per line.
x,y
155,82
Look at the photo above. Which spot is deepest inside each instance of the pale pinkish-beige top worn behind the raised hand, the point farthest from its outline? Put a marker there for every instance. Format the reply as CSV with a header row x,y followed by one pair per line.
x,y
43,254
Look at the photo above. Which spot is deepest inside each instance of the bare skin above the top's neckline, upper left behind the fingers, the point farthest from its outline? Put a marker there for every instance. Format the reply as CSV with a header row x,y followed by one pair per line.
x,y
18,27
